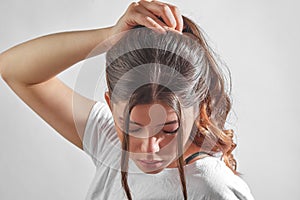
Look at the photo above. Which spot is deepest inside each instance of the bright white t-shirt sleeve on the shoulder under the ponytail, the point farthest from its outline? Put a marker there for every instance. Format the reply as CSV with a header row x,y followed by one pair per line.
x,y
217,181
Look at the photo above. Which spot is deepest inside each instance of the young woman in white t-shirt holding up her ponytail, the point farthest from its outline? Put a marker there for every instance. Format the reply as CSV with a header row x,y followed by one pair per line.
x,y
161,134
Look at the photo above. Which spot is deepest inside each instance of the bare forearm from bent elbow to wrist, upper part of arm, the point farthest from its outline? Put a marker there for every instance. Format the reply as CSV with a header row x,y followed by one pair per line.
x,y
40,59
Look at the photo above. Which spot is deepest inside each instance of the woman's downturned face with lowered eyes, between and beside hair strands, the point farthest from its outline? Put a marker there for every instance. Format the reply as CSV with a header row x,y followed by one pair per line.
x,y
153,132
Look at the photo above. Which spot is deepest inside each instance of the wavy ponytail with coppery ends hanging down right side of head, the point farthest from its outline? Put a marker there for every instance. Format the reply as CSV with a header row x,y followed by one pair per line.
x,y
216,106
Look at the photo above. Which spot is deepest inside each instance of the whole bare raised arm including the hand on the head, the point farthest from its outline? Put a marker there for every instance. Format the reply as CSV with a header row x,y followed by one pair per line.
x,y
30,68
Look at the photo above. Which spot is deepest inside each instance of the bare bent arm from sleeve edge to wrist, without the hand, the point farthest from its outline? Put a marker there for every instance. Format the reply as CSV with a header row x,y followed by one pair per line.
x,y
30,69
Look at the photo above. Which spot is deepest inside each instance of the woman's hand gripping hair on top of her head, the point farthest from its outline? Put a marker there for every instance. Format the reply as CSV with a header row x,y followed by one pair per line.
x,y
147,13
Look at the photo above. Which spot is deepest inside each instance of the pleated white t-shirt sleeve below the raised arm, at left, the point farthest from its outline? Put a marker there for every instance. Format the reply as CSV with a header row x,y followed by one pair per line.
x,y
100,138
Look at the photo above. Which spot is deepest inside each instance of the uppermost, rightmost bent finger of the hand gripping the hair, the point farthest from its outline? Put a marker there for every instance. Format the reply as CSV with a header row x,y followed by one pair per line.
x,y
162,10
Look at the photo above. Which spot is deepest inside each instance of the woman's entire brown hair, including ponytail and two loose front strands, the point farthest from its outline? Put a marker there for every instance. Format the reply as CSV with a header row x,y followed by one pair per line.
x,y
138,58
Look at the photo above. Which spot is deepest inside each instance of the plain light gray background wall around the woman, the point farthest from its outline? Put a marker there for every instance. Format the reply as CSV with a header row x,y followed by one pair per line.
x,y
259,40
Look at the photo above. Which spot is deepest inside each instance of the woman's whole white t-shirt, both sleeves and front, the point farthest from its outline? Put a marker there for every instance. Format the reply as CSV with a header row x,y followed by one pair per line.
x,y
207,178
